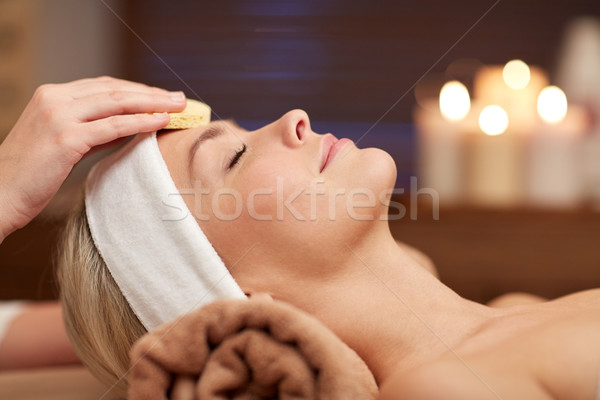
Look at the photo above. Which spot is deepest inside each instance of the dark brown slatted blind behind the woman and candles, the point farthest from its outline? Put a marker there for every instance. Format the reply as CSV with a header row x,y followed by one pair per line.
x,y
339,60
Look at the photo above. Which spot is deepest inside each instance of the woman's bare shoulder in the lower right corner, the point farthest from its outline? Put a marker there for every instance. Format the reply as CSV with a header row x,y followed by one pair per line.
x,y
557,356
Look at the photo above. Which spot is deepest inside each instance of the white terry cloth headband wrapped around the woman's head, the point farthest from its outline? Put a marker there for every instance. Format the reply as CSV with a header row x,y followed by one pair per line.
x,y
155,250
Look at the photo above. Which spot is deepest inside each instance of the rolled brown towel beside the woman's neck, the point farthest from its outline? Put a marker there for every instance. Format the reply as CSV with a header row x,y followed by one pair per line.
x,y
247,349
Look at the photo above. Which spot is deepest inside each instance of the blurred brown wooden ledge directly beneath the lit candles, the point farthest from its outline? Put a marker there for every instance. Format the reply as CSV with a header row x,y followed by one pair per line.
x,y
483,253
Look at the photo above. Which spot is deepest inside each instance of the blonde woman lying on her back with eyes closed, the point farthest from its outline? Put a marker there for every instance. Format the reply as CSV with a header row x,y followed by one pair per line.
x,y
419,338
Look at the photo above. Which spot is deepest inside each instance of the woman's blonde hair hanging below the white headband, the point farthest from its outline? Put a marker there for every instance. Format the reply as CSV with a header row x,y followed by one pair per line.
x,y
100,324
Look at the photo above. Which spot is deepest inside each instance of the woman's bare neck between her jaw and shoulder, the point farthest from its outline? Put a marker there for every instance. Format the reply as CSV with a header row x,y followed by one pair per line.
x,y
393,312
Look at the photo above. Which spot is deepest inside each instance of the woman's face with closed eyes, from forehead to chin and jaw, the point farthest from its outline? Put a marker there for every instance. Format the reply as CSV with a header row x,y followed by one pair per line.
x,y
281,202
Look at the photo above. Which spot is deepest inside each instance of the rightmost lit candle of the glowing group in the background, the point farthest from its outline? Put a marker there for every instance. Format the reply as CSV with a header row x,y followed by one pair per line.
x,y
556,157
